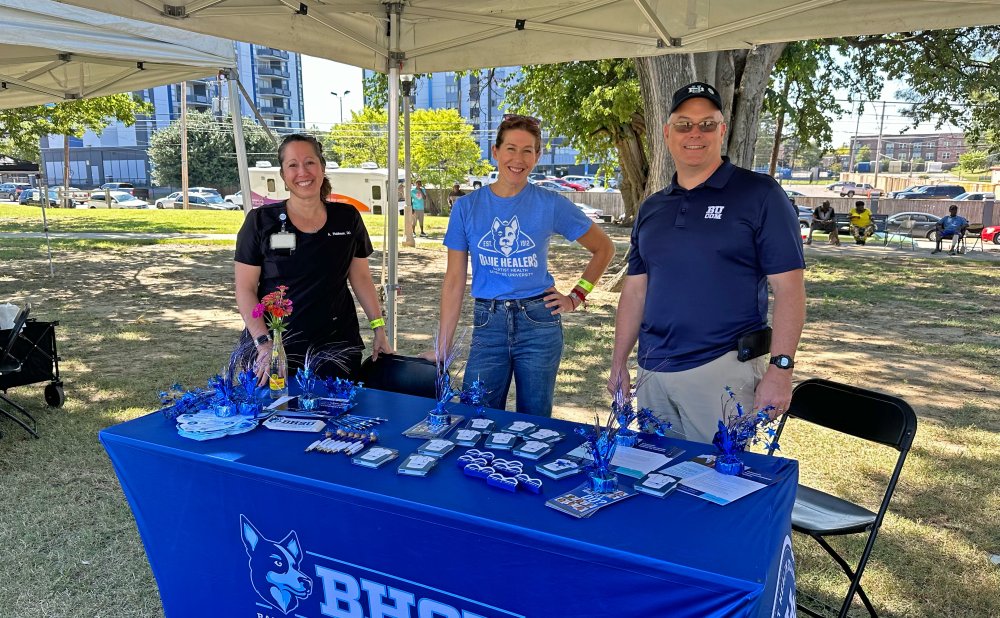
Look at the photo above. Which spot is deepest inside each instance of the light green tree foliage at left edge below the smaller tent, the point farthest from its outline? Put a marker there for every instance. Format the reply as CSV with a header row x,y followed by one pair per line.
x,y
22,128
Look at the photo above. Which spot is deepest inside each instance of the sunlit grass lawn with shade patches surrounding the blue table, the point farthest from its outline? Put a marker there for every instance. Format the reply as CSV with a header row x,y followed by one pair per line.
x,y
135,317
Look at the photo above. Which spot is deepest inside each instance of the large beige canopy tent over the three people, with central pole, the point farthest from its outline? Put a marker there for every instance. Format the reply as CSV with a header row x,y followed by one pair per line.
x,y
420,36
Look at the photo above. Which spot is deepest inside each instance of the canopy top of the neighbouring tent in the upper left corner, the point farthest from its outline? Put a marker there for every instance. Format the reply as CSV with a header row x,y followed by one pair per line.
x,y
51,52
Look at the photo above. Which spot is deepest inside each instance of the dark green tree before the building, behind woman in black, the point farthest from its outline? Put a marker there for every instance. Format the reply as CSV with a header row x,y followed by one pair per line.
x,y
211,150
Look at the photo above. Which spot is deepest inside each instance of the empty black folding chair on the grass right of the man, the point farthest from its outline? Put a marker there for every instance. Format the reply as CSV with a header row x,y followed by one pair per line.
x,y
864,414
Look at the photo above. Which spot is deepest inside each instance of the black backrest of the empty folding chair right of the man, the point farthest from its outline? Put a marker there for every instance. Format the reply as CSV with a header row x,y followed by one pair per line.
x,y
854,411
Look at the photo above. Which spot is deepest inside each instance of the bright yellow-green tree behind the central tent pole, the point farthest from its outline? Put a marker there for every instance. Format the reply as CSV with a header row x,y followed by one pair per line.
x,y
442,152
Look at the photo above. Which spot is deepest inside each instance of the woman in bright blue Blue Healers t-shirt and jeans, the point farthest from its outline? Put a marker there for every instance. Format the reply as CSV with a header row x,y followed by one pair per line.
x,y
505,228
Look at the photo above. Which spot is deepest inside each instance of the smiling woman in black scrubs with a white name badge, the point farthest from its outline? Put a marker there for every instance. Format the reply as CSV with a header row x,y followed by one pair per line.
x,y
315,248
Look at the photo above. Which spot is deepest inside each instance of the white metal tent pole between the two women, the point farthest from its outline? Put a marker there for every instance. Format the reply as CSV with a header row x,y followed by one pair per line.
x,y
392,208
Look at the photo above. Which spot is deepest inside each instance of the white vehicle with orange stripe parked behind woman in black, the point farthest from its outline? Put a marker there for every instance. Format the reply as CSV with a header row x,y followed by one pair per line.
x,y
366,187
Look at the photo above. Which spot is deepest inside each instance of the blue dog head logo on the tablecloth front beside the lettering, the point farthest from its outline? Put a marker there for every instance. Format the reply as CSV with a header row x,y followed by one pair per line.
x,y
274,568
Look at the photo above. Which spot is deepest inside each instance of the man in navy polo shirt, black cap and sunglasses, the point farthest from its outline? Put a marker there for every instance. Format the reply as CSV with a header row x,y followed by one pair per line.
x,y
703,252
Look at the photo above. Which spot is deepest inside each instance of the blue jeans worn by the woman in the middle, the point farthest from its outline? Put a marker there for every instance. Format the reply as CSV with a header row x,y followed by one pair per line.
x,y
518,339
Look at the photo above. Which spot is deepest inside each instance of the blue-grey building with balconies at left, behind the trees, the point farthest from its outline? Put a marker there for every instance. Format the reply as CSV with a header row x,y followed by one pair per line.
x,y
272,77
